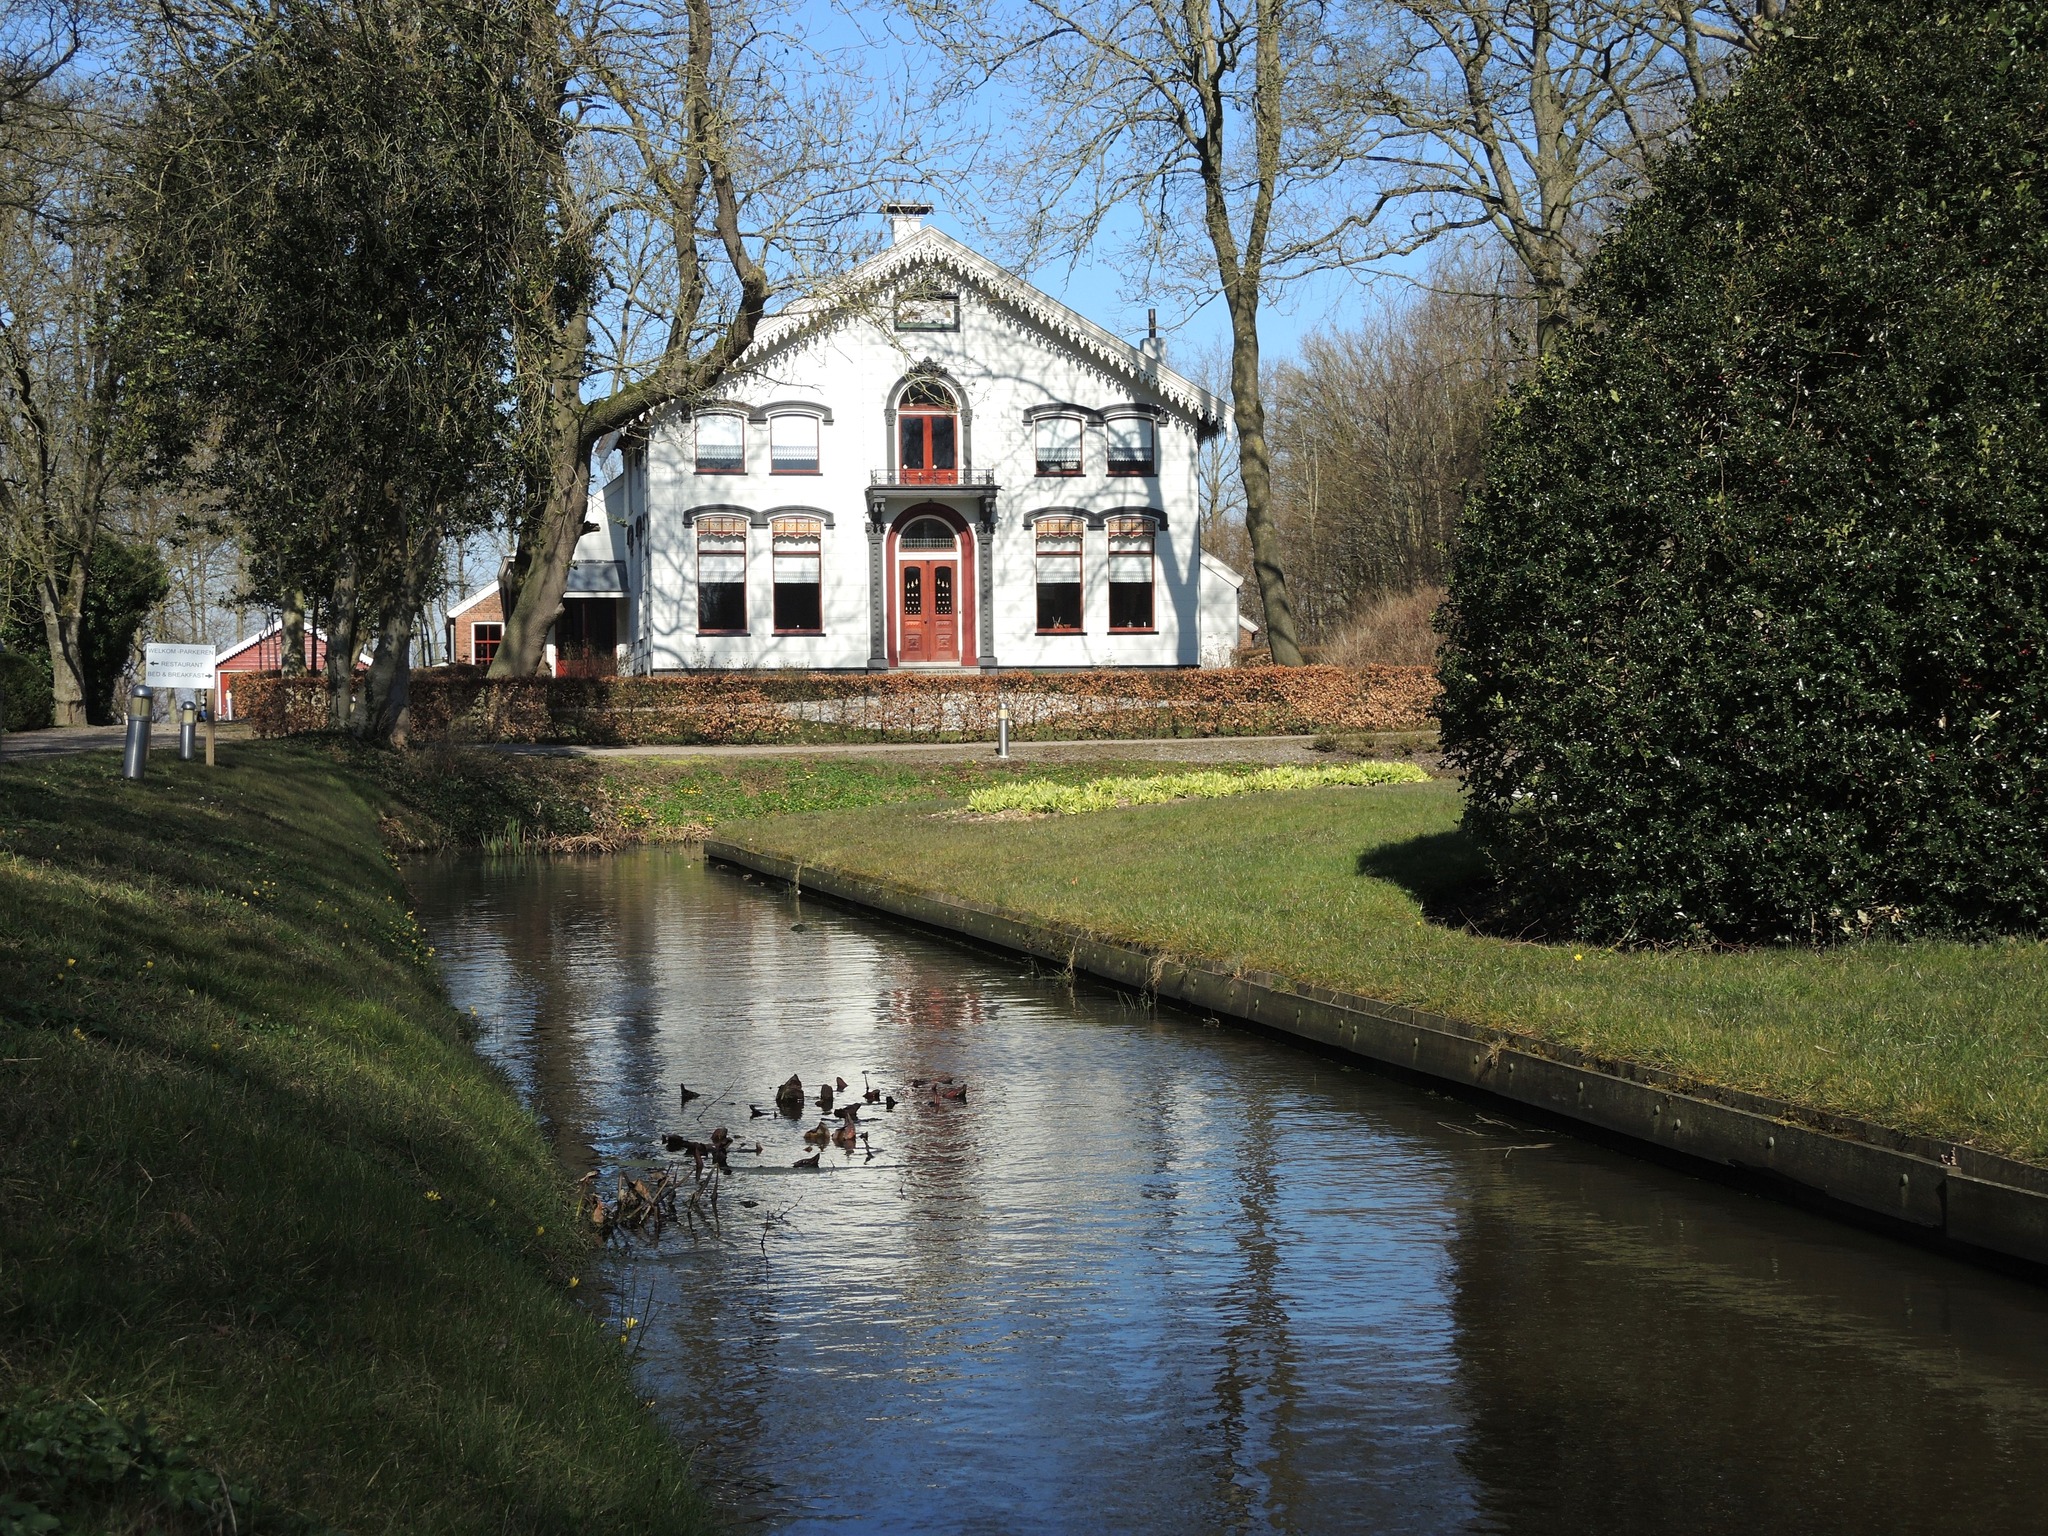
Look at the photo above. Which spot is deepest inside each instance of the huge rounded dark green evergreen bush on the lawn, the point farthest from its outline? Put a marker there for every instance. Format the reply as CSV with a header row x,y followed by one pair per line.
x,y
1746,624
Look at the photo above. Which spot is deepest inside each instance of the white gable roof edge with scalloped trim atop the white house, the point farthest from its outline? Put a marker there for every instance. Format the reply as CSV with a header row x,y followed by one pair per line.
x,y
933,251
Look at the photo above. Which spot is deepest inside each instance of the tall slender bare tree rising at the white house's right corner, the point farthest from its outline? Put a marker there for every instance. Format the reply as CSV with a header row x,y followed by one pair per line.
x,y
1156,120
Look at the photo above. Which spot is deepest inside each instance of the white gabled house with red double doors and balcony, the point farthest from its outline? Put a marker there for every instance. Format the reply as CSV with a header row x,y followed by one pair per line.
x,y
927,466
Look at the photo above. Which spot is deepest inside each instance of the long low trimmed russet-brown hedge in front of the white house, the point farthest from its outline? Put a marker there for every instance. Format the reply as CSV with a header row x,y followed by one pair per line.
x,y
769,708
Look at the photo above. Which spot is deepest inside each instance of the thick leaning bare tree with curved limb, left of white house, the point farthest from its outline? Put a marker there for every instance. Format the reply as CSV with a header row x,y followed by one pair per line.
x,y
703,161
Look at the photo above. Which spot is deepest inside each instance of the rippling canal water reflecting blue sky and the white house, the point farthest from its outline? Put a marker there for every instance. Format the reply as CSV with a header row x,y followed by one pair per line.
x,y
1158,1275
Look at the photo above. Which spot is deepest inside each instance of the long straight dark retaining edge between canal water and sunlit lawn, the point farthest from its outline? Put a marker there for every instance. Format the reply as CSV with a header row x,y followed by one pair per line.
x,y
1955,1197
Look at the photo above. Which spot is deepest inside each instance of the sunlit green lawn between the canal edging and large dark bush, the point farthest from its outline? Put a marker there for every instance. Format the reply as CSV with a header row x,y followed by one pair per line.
x,y
1332,886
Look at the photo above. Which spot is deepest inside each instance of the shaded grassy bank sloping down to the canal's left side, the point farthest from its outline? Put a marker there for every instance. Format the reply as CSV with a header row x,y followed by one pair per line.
x,y
257,1185
